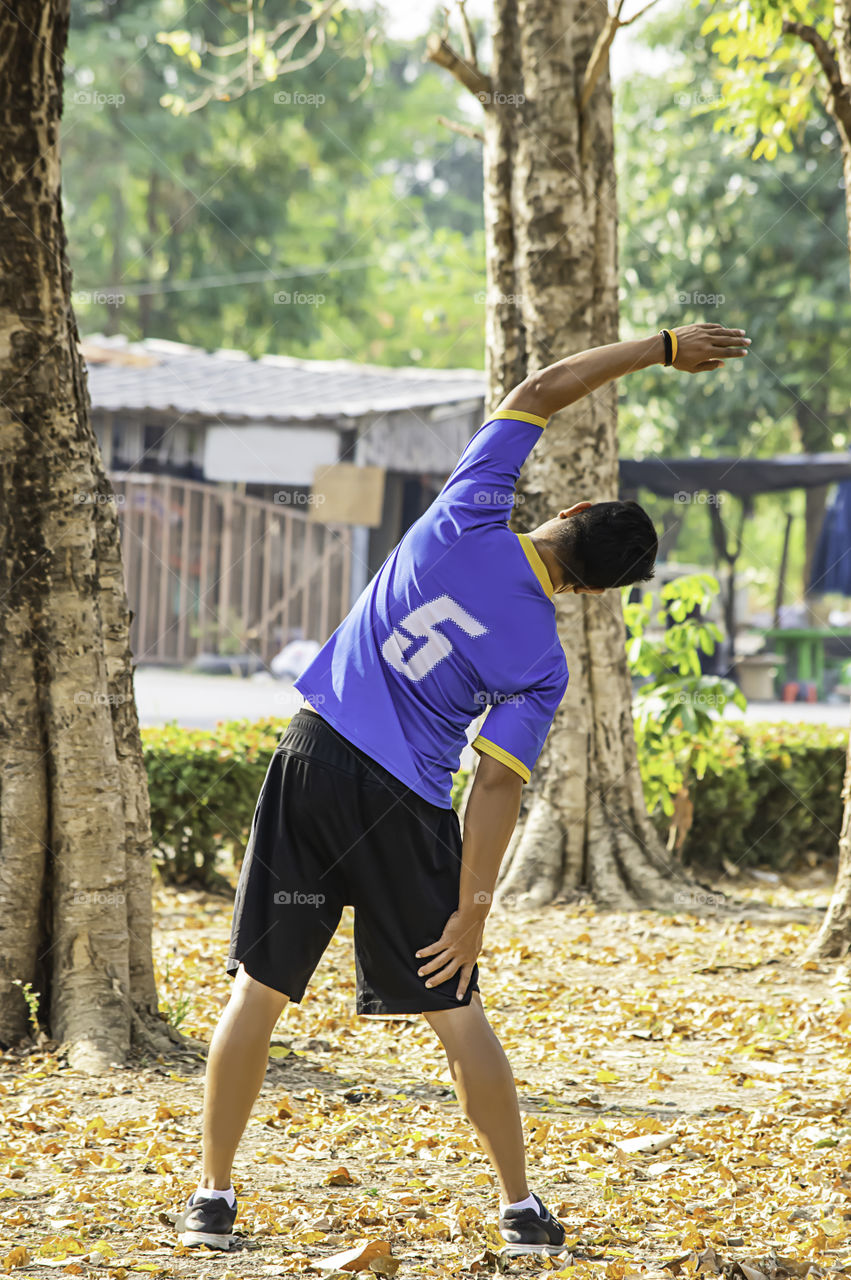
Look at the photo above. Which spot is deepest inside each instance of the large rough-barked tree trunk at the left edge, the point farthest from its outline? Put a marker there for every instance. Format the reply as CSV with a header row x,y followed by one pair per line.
x,y
75,825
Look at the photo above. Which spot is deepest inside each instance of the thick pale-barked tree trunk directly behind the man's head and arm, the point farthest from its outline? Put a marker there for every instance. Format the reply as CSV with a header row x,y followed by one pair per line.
x,y
552,232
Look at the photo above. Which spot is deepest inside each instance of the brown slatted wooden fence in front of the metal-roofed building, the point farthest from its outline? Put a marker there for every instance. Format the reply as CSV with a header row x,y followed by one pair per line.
x,y
209,570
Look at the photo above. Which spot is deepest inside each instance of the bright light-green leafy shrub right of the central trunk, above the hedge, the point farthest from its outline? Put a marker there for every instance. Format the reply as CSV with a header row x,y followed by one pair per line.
x,y
678,708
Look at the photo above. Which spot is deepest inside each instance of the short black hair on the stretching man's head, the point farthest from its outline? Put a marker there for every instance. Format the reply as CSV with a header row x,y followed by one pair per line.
x,y
610,545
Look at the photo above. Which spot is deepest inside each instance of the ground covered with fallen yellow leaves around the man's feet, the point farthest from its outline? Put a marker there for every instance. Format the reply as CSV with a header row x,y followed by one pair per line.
x,y
685,1085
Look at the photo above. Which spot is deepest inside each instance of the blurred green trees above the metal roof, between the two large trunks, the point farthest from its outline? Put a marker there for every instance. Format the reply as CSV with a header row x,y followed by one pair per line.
x,y
318,216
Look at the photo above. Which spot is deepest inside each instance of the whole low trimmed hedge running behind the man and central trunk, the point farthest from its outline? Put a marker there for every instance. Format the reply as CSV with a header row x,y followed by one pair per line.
x,y
776,796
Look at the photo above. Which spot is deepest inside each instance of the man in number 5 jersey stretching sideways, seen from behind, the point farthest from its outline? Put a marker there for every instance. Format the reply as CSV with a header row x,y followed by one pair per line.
x,y
356,804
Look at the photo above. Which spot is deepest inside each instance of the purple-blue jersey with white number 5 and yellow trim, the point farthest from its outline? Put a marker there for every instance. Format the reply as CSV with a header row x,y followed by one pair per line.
x,y
459,619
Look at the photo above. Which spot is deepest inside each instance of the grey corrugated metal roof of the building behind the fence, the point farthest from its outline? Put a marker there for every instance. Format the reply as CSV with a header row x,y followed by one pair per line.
x,y
172,377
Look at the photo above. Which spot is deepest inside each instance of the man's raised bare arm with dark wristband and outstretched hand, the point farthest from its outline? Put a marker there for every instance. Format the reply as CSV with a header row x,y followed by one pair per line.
x,y
701,348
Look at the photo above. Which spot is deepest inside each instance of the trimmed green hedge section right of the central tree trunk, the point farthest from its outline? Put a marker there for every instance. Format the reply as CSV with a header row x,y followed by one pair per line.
x,y
771,793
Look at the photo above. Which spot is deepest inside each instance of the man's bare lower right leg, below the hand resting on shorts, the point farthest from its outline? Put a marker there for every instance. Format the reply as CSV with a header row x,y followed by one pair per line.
x,y
486,1089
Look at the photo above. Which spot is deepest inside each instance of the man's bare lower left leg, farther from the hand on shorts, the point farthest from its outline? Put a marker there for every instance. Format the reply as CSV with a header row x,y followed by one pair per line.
x,y
236,1069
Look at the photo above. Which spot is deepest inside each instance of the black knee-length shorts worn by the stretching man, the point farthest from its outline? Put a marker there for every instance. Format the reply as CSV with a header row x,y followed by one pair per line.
x,y
332,828
